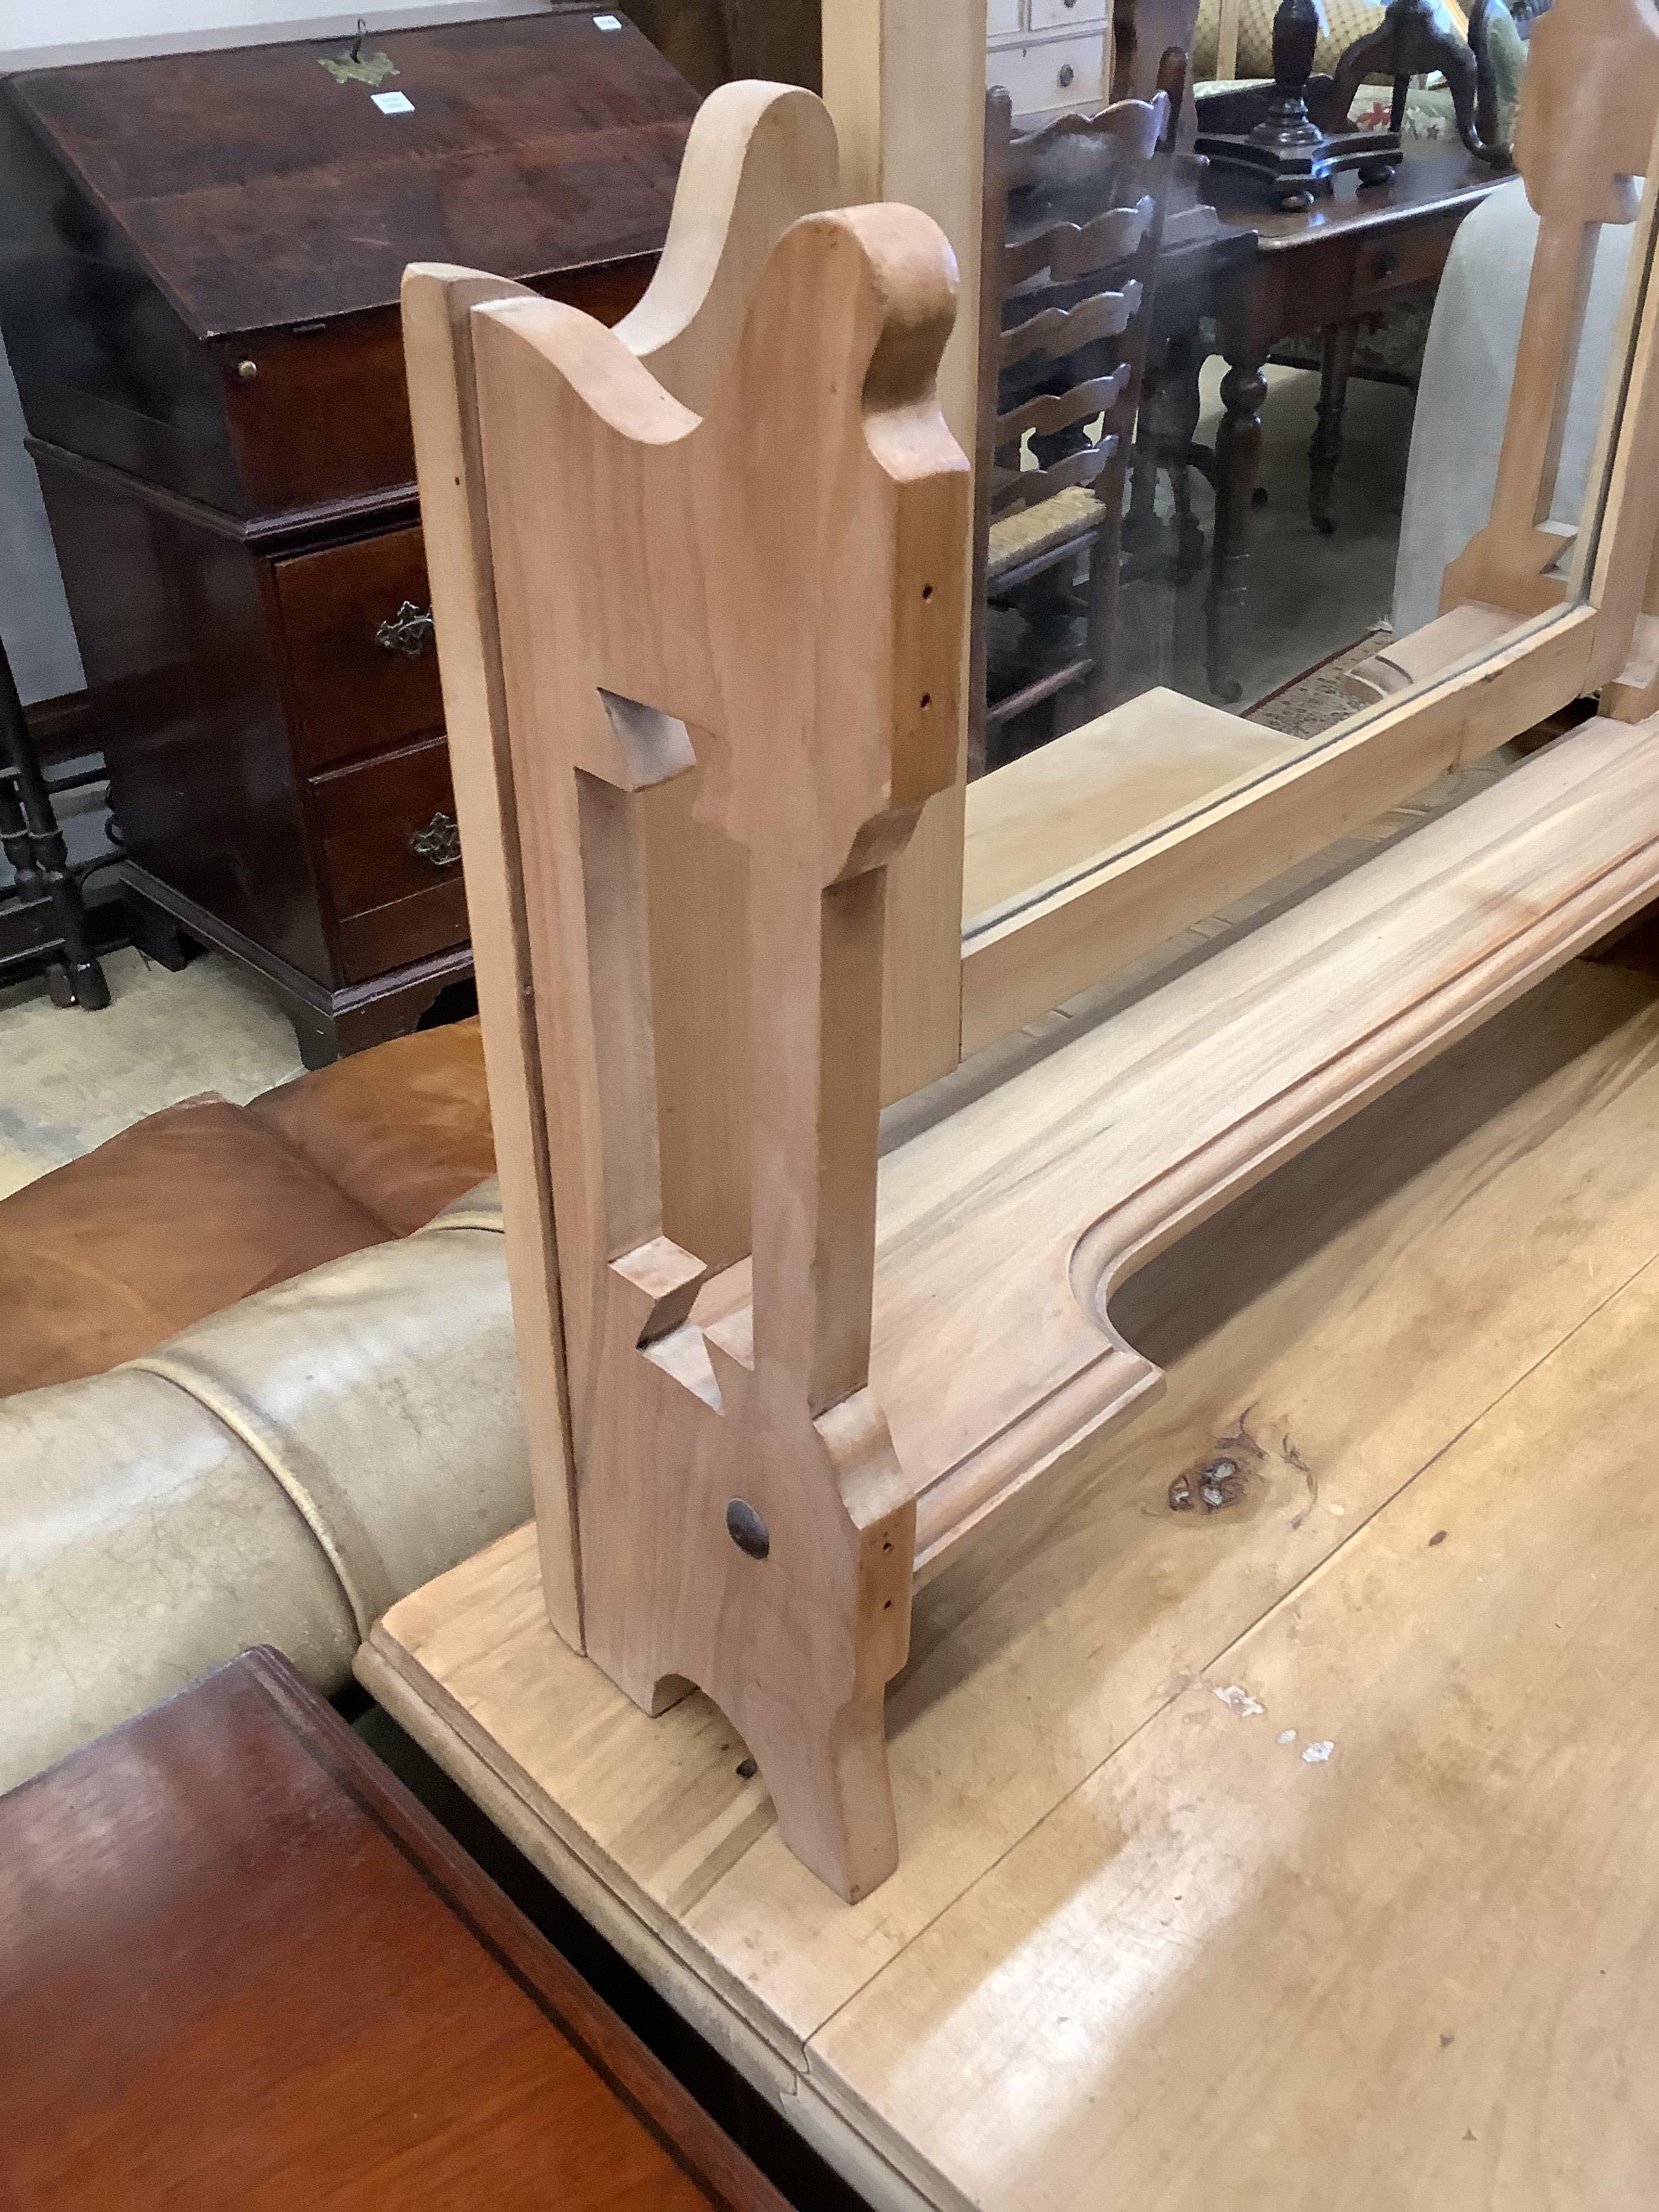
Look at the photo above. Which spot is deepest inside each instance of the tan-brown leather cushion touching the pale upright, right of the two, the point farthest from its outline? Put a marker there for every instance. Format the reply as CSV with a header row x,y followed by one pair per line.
x,y
401,1129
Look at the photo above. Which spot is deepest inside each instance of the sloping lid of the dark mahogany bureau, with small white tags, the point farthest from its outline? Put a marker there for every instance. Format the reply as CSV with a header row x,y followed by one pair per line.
x,y
260,191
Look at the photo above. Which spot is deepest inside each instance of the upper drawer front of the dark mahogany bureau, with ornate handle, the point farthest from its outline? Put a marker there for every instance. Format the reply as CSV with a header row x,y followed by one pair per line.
x,y
357,634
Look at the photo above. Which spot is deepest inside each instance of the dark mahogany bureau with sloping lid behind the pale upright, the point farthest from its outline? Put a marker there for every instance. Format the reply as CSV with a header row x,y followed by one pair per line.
x,y
200,264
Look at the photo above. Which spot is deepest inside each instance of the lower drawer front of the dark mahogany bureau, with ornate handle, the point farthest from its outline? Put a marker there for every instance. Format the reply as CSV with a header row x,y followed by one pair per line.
x,y
393,857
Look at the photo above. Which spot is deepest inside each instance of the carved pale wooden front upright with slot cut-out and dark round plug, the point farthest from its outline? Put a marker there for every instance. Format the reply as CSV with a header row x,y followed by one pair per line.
x,y
669,585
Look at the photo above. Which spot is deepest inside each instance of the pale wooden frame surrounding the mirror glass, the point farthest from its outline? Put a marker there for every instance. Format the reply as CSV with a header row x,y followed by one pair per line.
x,y
1477,678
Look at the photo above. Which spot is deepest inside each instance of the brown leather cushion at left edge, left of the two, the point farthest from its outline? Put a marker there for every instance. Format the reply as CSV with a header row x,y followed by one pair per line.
x,y
176,1218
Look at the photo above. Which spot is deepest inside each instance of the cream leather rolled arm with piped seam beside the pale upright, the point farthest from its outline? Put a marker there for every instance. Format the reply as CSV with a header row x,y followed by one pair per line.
x,y
278,1474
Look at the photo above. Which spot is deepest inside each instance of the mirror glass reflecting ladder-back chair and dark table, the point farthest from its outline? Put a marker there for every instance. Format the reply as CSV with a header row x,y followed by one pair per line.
x,y
1253,298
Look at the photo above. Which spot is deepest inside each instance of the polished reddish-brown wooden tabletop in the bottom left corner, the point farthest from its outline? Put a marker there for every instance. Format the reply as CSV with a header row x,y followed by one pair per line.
x,y
242,1968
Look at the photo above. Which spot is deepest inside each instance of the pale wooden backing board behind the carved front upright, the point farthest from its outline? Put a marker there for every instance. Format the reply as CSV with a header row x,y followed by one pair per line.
x,y
758,158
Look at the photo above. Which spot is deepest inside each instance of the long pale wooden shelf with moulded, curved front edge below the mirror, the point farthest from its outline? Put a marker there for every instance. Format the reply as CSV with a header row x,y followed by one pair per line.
x,y
1008,1227
